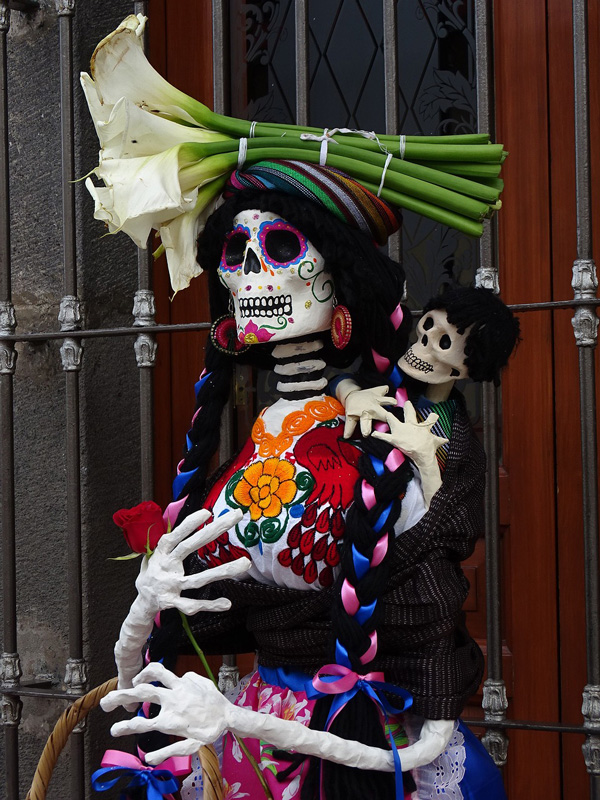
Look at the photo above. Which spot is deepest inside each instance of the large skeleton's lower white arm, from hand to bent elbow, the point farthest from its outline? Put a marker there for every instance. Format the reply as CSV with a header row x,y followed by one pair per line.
x,y
192,707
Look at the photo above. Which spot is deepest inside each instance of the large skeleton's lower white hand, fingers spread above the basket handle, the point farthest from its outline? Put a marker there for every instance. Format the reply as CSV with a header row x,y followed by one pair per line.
x,y
191,707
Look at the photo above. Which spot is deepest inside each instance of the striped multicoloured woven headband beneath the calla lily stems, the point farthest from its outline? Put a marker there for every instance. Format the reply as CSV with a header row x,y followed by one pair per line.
x,y
334,190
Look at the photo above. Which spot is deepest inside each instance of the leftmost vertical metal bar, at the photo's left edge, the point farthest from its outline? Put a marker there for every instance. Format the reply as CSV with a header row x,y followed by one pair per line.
x,y
10,669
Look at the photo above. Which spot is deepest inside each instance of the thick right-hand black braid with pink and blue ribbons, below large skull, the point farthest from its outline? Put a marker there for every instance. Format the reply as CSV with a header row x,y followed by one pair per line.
x,y
369,532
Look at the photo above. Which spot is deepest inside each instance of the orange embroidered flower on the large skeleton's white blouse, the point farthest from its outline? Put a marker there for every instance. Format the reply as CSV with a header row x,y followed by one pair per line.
x,y
265,486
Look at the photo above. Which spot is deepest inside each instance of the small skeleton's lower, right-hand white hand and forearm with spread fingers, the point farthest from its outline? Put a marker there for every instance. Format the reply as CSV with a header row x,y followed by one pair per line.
x,y
416,440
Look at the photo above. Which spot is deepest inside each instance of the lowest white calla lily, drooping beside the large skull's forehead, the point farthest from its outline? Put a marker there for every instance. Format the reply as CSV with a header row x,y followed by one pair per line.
x,y
180,235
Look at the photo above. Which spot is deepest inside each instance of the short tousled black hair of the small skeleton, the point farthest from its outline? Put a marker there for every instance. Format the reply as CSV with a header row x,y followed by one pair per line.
x,y
494,330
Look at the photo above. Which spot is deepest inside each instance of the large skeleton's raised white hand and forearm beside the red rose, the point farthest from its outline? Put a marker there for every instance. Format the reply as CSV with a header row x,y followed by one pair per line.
x,y
161,581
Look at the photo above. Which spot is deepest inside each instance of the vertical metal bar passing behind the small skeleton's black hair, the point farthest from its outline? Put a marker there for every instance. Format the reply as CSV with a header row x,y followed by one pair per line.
x,y
494,700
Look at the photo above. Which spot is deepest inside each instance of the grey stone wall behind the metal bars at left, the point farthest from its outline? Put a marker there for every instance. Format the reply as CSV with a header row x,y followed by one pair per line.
x,y
108,381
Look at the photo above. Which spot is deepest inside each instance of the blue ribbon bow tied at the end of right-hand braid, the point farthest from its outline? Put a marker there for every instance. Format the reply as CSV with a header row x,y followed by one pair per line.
x,y
374,689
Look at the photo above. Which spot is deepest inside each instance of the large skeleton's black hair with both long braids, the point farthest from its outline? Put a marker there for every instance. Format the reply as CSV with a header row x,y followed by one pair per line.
x,y
369,284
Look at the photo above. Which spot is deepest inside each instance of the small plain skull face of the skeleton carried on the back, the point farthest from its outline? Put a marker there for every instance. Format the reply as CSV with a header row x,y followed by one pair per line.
x,y
438,355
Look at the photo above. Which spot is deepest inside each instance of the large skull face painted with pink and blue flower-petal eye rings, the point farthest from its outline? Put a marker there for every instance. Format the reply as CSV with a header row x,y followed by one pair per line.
x,y
276,278
